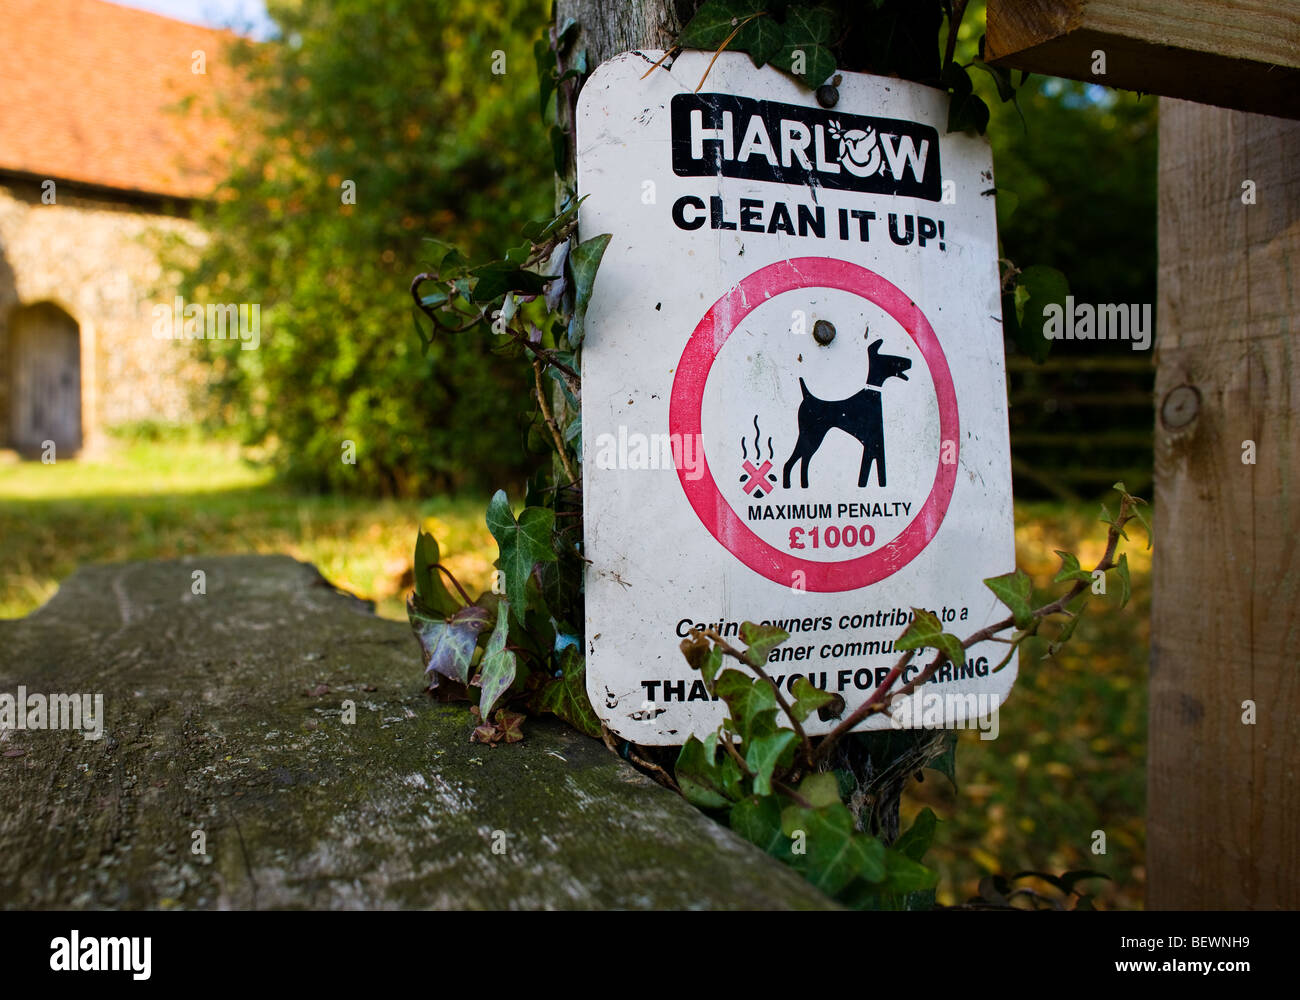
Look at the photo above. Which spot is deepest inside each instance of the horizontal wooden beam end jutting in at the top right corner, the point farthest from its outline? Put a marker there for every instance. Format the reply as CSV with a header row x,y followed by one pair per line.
x,y
1233,54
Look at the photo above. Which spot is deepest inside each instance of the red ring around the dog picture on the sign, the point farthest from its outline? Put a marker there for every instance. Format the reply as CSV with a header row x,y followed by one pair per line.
x,y
687,405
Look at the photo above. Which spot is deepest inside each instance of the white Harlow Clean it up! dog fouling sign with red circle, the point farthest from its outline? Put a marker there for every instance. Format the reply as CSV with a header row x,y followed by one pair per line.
x,y
794,393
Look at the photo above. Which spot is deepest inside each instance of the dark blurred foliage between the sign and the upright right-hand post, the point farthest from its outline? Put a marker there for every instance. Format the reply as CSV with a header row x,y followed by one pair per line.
x,y
1081,174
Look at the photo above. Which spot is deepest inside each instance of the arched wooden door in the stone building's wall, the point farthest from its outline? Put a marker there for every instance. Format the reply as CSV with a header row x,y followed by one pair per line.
x,y
45,389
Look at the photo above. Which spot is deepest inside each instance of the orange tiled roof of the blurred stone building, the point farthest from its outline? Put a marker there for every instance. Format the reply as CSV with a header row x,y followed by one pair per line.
x,y
85,96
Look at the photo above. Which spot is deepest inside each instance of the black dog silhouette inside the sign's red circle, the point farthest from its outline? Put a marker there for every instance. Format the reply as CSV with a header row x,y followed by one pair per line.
x,y
859,415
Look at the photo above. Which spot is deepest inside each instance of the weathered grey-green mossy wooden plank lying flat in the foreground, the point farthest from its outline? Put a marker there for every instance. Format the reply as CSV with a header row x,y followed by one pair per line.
x,y
224,716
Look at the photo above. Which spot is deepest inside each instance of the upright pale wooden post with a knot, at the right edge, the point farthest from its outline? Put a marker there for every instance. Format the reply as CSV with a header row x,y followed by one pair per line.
x,y
1224,800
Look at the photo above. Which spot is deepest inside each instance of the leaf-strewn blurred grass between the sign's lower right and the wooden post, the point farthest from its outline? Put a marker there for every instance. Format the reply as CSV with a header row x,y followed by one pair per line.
x,y
1072,754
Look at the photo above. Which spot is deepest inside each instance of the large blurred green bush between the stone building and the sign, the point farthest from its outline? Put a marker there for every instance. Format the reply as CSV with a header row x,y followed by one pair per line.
x,y
402,101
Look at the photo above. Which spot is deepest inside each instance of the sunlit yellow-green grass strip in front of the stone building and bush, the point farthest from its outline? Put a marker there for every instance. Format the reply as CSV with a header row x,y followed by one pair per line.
x,y
157,501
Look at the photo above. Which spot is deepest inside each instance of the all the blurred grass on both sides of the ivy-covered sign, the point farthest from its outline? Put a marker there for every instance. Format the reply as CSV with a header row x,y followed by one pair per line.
x,y
1069,760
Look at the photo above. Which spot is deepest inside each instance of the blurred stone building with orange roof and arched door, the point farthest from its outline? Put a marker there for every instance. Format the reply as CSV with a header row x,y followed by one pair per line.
x,y
110,137
